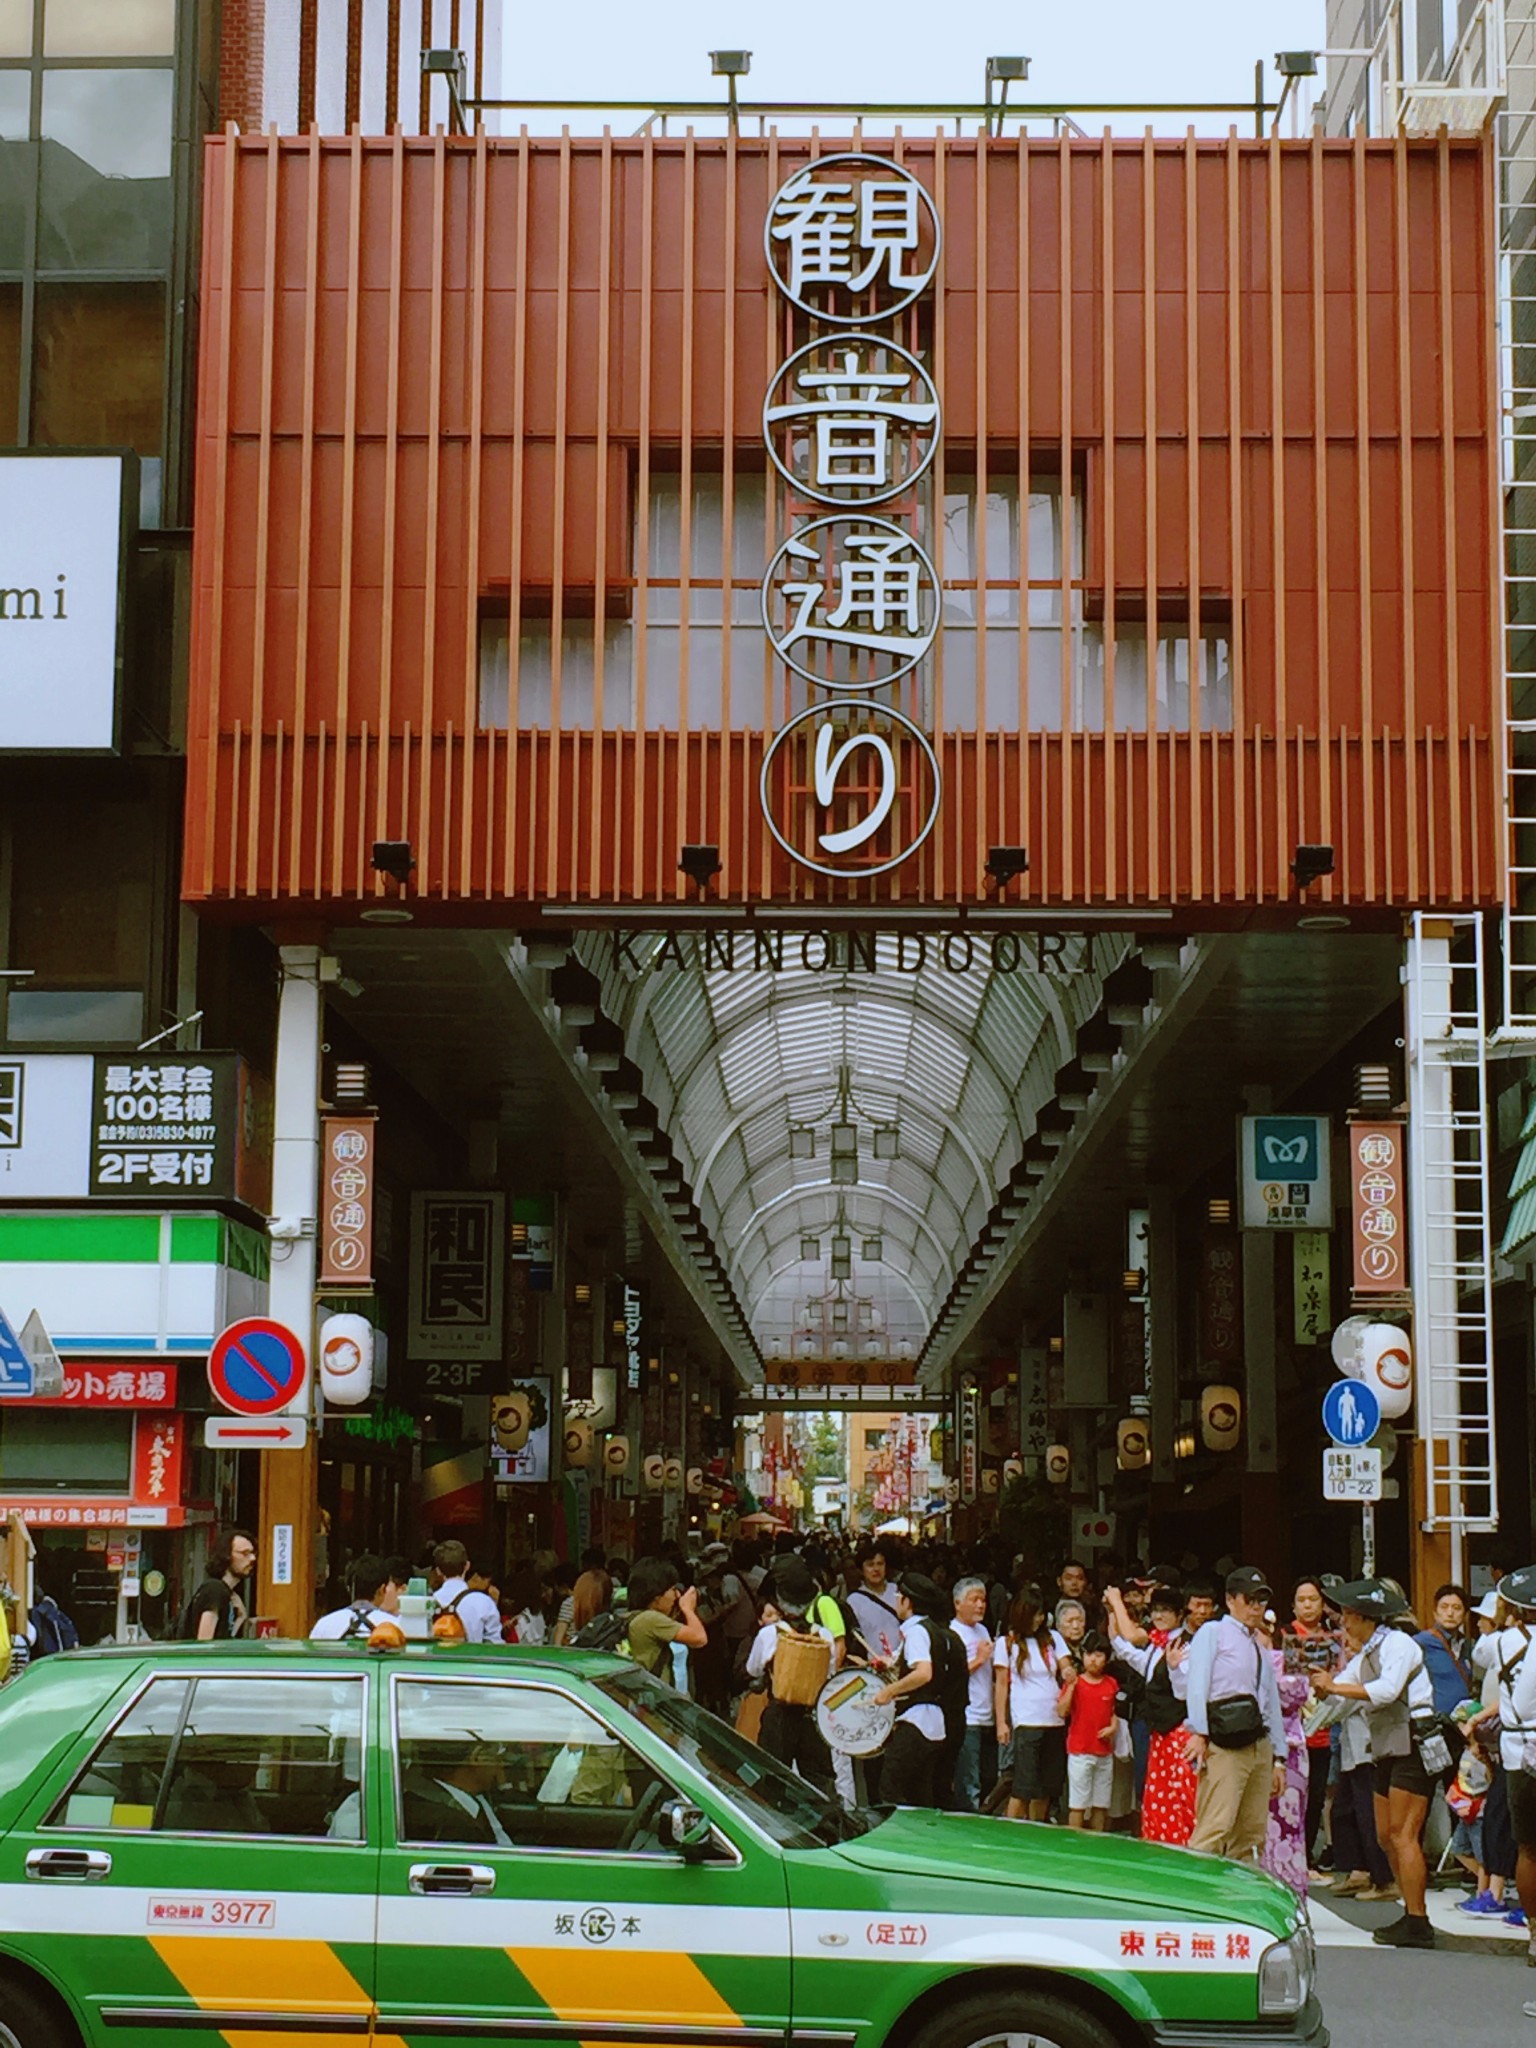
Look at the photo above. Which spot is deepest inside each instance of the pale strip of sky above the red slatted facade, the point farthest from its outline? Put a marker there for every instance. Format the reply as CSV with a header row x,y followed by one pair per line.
x,y
902,50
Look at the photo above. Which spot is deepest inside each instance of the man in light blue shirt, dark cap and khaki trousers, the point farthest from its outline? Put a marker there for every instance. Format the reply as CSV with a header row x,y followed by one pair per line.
x,y
1238,1732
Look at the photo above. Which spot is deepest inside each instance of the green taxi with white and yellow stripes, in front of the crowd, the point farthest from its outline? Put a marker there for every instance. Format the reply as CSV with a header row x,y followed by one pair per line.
x,y
290,1842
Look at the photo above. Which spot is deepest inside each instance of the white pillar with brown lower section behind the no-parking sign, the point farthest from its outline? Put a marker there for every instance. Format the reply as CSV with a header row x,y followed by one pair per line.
x,y
290,1494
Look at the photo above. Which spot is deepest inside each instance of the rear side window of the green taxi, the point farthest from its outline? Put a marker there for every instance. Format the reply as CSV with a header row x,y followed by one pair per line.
x,y
230,1756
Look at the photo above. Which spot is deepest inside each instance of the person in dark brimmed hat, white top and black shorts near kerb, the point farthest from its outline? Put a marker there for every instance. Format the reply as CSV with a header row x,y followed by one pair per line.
x,y
1388,1676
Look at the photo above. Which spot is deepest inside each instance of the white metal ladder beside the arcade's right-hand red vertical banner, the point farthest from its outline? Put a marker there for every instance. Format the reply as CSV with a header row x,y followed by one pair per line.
x,y
1449,1222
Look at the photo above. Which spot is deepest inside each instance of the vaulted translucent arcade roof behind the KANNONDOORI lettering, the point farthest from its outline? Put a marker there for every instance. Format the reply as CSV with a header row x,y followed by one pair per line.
x,y
939,1066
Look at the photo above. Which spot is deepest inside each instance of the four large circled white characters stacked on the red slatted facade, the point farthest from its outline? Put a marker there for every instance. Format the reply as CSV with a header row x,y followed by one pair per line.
x,y
851,603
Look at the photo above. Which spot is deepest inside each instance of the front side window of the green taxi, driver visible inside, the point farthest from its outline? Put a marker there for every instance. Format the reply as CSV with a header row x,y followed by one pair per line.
x,y
519,1768
